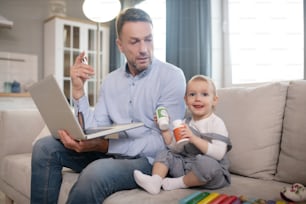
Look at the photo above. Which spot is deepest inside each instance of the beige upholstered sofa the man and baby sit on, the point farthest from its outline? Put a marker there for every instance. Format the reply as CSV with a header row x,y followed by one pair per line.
x,y
266,123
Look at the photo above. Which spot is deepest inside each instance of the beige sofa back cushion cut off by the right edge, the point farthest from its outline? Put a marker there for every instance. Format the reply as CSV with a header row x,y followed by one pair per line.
x,y
292,162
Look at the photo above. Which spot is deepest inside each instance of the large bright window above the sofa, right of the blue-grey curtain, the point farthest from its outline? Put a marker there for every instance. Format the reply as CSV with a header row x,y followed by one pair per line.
x,y
266,40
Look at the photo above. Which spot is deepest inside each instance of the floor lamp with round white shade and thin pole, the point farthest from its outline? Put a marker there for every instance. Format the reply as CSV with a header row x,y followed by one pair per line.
x,y
100,11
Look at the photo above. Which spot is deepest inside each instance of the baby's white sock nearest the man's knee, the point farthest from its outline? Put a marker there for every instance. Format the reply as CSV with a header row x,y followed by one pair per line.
x,y
151,184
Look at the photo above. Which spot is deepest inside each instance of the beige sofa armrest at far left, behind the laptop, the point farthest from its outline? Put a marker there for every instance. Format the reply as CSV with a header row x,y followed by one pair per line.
x,y
18,129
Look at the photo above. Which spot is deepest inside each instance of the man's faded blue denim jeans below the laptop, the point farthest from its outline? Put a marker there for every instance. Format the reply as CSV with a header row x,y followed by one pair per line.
x,y
100,175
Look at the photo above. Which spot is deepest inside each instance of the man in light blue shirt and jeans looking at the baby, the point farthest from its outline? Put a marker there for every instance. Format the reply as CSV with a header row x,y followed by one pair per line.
x,y
128,94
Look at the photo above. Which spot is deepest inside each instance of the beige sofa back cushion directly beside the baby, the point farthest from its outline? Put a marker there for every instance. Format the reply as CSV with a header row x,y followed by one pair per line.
x,y
253,117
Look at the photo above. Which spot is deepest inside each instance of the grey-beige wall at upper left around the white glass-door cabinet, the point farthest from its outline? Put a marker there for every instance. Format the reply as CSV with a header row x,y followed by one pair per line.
x,y
28,16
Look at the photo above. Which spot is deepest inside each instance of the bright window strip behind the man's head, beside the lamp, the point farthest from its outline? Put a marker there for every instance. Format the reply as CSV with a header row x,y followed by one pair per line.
x,y
157,10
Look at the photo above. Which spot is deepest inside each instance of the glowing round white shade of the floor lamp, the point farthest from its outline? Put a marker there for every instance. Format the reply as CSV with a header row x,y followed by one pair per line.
x,y
101,10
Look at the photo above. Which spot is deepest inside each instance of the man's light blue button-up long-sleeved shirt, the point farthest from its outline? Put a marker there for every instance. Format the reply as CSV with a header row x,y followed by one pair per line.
x,y
124,99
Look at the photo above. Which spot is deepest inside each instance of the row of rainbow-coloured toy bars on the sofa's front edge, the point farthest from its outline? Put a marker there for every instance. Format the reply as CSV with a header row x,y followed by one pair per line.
x,y
219,198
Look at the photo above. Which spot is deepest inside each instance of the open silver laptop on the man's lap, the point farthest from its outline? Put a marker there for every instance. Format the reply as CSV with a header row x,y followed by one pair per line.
x,y
58,115
